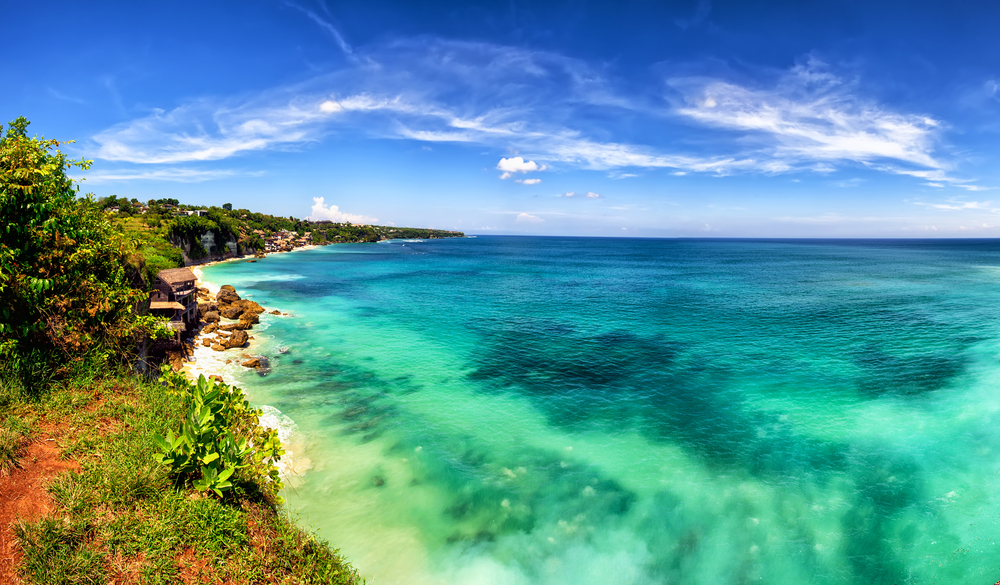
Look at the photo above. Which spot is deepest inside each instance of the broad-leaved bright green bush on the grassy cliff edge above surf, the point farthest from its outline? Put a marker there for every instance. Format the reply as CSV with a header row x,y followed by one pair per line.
x,y
219,439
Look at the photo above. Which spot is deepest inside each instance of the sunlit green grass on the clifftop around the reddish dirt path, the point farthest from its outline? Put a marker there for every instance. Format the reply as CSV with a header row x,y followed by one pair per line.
x,y
120,518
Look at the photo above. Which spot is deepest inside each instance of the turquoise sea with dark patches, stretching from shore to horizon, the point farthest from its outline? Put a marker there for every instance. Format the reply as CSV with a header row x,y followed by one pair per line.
x,y
575,410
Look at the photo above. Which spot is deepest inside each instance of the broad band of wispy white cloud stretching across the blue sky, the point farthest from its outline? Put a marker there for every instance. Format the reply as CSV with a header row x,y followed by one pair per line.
x,y
532,102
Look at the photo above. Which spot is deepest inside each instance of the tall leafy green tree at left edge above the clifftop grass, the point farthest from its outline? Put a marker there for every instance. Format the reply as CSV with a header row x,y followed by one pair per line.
x,y
68,288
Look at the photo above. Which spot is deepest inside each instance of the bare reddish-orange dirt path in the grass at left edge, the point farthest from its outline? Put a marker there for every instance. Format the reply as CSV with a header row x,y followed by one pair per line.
x,y
23,496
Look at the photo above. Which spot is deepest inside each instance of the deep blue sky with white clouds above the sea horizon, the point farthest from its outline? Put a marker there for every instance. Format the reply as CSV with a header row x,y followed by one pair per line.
x,y
695,118
